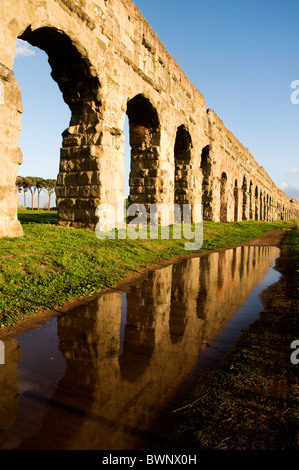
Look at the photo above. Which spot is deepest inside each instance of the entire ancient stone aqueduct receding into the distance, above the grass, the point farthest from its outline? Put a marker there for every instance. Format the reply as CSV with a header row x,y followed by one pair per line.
x,y
109,63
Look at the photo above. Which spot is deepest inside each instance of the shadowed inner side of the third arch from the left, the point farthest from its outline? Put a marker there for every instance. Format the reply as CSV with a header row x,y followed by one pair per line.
x,y
182,157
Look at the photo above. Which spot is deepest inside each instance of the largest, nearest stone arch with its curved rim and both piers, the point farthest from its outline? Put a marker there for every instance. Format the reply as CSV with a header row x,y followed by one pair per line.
x,y
78,80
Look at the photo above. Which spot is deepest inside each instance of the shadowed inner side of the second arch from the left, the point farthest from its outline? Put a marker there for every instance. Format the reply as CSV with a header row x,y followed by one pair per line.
x,y
145,136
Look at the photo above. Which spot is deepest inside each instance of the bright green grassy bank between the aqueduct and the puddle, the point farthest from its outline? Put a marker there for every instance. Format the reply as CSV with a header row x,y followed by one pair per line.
x,y
51,265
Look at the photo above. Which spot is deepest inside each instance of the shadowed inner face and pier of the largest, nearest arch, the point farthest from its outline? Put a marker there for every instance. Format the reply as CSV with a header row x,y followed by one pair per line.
x,y
78,186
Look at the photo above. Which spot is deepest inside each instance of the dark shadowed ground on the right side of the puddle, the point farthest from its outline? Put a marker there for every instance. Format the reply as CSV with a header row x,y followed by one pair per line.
x,y
252,401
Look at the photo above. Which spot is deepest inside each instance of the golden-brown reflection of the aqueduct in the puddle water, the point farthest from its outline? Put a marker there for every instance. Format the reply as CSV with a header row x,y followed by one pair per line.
x,y
125,353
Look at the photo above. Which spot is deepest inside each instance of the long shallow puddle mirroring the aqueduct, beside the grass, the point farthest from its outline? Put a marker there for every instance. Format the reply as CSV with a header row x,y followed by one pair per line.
x,y
103,375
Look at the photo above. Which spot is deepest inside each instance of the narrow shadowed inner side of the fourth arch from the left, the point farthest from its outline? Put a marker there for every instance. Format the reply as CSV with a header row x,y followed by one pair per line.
x,y
207,197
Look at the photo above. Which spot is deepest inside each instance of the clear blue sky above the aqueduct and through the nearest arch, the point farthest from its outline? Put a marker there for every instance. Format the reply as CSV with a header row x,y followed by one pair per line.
x,y
241,55
